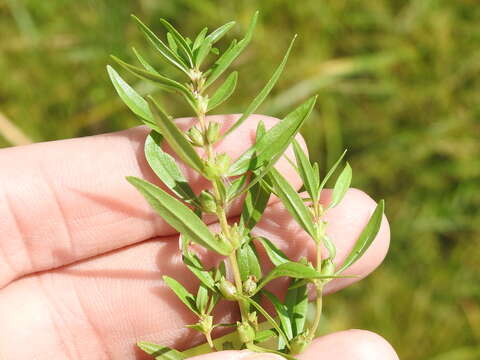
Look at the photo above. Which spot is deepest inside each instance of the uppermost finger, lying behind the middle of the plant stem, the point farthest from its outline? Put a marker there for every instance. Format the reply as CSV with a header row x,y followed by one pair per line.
x,y
64,201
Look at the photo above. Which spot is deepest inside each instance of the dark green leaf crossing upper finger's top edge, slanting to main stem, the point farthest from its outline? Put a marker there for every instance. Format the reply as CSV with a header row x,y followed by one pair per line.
x,y
175,137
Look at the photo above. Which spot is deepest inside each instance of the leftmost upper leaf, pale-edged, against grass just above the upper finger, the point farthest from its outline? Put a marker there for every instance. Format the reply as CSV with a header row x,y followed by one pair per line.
x,y
131,98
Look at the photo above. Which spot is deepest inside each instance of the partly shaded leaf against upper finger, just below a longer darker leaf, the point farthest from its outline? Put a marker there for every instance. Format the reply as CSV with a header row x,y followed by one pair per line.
x,y
166,168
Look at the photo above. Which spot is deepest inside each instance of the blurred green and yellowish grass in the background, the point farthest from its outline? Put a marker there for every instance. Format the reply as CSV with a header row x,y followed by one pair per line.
x,y
399,86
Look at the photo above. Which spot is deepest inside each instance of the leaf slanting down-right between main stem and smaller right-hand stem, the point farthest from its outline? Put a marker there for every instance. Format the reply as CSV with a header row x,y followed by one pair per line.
x,y
292,202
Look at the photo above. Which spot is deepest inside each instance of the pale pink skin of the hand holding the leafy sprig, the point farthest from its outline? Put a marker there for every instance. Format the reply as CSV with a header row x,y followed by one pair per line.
x,y
82,253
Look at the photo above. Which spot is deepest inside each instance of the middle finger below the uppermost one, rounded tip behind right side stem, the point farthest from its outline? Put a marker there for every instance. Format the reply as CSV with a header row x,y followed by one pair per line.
x,y
105,304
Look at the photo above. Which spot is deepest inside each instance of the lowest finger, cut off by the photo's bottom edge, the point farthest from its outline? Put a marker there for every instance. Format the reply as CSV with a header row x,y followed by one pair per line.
x,y
342,345
